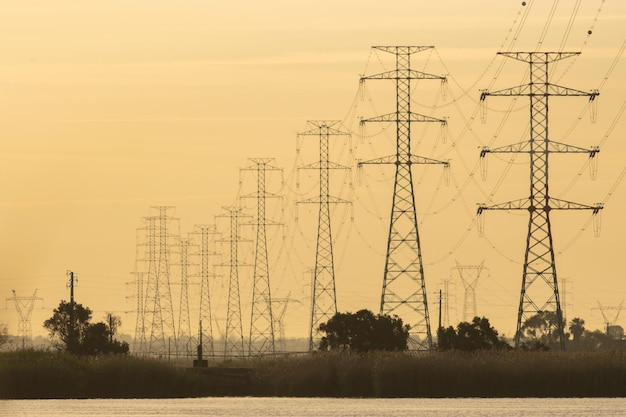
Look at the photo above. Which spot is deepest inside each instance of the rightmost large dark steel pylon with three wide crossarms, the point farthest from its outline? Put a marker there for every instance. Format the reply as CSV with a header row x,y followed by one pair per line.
x,y
540,292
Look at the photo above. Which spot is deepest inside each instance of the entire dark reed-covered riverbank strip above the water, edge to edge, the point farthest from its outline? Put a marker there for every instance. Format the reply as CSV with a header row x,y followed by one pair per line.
x,y
37,374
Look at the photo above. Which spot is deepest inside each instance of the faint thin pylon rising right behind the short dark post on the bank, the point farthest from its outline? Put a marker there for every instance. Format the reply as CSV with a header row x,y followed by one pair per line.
x,y
207,270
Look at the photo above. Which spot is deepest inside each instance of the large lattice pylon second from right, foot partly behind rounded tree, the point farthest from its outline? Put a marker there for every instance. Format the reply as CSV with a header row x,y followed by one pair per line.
x,y
404,288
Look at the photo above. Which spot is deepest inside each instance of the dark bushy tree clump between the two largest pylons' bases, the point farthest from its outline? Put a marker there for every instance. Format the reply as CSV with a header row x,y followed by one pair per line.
x,y
469,337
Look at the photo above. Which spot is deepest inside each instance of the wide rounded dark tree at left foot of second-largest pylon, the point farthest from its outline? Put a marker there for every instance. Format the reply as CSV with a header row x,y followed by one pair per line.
x,y
363,332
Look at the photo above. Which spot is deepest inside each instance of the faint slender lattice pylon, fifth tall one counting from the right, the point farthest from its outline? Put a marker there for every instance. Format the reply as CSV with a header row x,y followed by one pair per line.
x,y
234,346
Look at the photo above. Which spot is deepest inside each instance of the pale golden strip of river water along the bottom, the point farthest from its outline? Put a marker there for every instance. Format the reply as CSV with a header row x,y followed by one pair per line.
x,y
317,407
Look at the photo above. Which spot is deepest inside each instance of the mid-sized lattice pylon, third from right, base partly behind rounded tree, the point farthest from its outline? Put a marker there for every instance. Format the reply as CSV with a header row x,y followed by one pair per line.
x,y
323,294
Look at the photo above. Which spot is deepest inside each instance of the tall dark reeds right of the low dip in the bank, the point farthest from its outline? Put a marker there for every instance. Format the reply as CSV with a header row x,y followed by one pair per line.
x,y
484,374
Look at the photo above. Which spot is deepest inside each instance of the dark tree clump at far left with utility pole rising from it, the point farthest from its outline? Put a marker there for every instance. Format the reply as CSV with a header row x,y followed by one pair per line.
x,y
70,324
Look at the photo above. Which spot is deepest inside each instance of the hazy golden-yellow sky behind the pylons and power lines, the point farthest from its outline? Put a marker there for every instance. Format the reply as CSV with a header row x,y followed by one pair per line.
x,y
109,108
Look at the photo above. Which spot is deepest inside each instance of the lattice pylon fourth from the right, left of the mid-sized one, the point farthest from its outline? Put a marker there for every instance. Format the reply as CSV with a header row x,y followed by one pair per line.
x,y
261,340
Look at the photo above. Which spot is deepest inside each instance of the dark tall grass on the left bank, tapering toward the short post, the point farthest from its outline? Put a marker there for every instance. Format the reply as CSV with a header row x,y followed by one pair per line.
x,y
42,374
